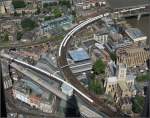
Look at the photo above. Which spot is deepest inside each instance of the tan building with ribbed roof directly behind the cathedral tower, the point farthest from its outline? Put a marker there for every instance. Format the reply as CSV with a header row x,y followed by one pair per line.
x,y
132,56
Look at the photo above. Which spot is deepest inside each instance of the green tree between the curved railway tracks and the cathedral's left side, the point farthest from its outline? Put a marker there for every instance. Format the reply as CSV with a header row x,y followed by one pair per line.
x,y
96,86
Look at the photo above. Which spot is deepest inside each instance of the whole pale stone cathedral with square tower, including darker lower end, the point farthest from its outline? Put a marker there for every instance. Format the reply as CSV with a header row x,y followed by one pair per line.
x,y
121,87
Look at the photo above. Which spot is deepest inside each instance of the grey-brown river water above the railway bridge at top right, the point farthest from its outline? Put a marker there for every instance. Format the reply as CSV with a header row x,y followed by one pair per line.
x,y
120,4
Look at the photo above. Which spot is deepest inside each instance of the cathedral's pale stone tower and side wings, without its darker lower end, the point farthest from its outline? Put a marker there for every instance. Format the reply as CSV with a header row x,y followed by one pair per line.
x,y
121,81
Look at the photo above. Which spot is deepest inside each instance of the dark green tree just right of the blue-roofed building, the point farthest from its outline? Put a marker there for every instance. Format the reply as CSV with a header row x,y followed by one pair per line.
x,y
99,67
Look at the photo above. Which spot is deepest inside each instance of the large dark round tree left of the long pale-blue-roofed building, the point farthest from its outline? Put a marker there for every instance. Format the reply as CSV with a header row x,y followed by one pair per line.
x,y
28,24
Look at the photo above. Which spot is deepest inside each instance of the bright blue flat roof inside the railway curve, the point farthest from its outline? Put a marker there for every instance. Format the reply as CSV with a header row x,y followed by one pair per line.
x,y
79,54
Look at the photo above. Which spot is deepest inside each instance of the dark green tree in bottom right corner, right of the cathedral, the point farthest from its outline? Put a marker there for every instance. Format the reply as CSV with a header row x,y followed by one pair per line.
x,y
137,104
